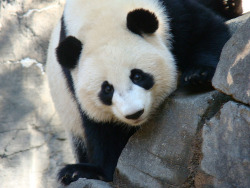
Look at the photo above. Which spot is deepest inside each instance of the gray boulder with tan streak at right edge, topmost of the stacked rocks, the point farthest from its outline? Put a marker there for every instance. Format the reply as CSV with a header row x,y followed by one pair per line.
x,y
232,75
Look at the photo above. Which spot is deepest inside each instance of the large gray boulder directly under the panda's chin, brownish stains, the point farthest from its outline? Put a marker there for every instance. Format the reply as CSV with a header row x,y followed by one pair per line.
x,y
159,154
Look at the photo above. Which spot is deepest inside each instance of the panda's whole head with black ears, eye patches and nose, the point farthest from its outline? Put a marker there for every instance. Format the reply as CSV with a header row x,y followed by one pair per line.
x,y
122,73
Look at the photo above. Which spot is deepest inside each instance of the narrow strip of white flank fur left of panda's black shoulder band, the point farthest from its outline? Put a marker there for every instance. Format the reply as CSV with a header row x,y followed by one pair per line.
x,y
61,96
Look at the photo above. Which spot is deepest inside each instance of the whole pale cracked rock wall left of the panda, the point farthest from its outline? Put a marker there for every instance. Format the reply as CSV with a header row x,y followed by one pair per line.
x,y
33,146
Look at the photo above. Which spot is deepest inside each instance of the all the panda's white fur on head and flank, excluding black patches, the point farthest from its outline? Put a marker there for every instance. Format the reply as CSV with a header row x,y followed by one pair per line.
x,y
109,53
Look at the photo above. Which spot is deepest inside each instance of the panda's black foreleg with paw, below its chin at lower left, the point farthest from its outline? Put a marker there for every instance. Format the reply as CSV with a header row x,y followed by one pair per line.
x,y
104,142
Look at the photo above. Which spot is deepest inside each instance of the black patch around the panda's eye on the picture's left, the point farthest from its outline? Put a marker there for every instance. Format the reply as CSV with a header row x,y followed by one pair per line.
x,y
106,93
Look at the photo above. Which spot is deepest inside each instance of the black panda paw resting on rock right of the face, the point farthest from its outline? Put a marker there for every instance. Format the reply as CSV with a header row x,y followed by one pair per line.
x,y
198,76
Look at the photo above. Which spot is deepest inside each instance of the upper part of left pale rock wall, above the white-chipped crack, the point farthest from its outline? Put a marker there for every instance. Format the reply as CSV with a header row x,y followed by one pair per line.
x,y
25,28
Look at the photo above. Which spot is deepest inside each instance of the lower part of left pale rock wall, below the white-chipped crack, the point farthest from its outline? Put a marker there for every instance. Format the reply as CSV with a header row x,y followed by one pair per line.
x,y
33,145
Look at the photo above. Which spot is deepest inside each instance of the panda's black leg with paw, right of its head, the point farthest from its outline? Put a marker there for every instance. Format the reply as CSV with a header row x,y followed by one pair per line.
x,y
203,46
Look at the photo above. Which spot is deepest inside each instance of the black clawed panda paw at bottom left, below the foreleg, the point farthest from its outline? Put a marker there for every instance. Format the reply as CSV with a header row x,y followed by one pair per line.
x,y
73,172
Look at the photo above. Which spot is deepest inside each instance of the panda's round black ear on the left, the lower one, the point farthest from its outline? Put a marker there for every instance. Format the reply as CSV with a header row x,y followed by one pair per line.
x,y
68,52
